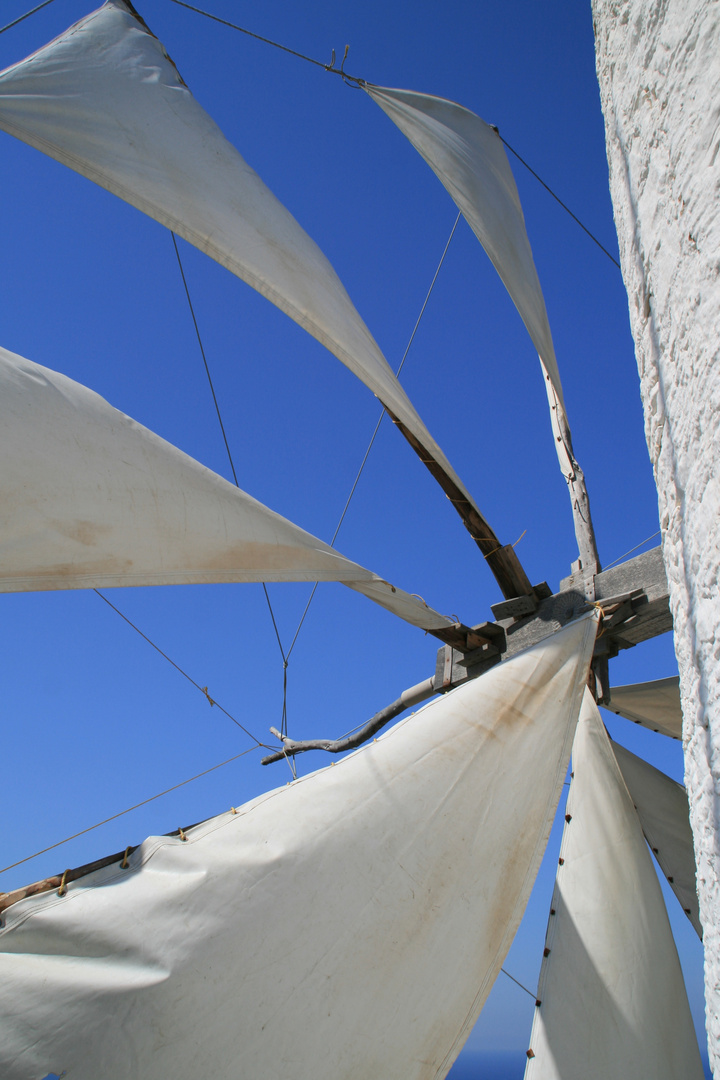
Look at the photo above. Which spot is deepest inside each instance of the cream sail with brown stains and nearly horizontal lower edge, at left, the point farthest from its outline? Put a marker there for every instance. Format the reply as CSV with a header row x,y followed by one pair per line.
x,y
92,499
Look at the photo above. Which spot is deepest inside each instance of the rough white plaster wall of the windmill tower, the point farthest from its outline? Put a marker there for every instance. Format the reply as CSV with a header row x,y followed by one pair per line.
x,y
659,70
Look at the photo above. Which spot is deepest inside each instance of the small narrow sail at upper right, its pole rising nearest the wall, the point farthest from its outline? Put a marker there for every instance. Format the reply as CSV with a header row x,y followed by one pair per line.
x,y
468,157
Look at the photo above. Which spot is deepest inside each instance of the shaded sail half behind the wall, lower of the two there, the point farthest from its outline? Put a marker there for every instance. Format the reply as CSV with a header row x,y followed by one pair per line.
x,y
664,814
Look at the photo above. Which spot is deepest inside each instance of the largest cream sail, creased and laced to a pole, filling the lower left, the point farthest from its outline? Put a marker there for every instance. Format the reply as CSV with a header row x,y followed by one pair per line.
x,y
348,925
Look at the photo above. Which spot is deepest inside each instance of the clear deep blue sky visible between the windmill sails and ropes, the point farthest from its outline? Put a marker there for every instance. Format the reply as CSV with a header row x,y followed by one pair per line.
x,y
93,720
